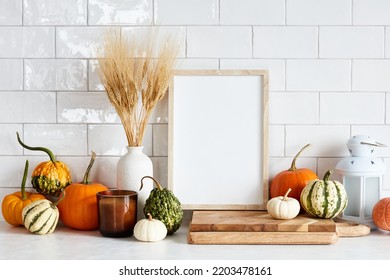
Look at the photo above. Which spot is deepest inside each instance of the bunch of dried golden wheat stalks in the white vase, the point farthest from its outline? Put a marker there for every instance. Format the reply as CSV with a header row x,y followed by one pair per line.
x,y
135,74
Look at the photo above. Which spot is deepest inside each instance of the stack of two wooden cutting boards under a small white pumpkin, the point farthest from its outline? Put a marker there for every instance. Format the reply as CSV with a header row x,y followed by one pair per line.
x,y
258,227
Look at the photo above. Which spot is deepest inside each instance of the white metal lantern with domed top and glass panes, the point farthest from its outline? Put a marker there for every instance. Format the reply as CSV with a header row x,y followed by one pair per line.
x,y
362,177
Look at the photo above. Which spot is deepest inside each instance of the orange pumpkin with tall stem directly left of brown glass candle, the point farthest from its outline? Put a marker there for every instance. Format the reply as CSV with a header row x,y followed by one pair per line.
x,y
78,209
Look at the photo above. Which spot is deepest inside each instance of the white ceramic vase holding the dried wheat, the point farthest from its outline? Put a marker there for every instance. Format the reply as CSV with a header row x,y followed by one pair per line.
x,y
131,167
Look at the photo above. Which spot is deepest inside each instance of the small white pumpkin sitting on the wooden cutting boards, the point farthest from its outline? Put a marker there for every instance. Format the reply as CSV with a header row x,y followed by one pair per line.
x,y
283,207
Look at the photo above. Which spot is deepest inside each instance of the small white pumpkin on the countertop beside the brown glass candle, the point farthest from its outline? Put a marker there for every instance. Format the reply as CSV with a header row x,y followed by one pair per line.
x,y
150,230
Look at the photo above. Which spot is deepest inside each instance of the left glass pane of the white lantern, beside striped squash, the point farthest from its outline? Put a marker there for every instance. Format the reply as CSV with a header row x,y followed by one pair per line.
x,y
353,188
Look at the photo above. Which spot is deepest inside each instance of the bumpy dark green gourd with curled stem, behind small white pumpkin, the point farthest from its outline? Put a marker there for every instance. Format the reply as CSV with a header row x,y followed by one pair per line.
x,y
163,205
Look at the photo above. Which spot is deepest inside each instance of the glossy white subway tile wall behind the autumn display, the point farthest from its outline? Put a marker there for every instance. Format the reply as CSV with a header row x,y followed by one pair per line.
x,y
327,61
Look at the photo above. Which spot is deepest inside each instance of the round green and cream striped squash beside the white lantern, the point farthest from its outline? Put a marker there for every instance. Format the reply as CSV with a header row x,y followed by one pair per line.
x,y
324,198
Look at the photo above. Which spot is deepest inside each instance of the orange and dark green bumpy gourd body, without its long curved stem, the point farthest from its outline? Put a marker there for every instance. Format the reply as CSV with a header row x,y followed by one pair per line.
x,y
50,177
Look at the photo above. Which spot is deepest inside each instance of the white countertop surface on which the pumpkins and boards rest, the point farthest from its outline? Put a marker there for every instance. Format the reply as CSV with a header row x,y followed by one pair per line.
x,y
66,244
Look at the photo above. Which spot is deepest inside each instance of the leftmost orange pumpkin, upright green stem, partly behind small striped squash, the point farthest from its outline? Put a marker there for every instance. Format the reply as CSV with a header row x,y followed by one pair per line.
x,y
14,203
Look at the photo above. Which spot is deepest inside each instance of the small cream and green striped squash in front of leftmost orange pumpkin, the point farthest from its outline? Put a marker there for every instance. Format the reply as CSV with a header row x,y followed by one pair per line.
x,y
41,216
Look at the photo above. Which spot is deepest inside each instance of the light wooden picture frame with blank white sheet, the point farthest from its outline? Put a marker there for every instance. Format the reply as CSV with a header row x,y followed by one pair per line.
x,y
218,139
